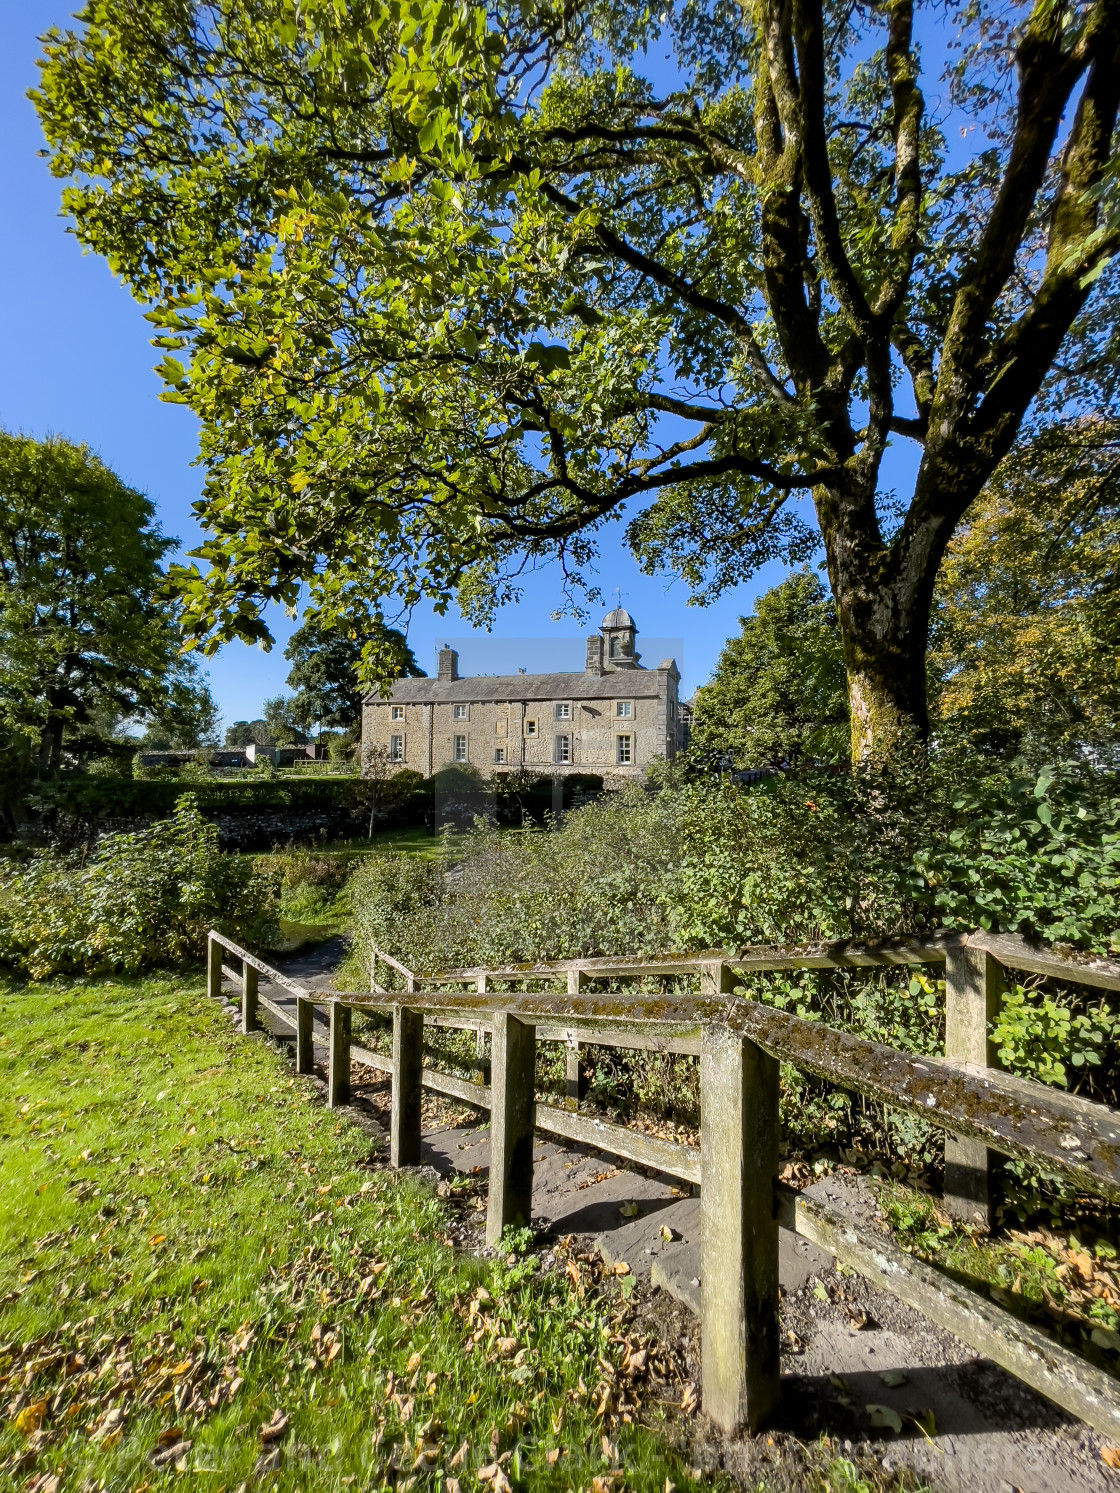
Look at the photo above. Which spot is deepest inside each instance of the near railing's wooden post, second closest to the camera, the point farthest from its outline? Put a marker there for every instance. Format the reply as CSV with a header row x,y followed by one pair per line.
x,y
513,1055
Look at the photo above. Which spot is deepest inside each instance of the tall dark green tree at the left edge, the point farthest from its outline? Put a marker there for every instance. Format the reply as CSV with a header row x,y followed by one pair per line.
x,y
86,631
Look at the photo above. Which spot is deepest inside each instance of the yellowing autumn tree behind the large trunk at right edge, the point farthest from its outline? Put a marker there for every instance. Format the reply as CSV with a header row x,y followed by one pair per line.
x,y
1027,623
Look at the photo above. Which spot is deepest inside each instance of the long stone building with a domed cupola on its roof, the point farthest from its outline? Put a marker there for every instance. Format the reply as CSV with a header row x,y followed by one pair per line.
x,y
613,720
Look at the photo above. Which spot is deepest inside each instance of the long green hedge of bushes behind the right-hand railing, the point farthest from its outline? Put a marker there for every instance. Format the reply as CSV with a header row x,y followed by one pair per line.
x,y
797,858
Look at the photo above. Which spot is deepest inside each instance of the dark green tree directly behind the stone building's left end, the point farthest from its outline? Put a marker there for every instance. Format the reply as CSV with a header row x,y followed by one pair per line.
x,y
325,668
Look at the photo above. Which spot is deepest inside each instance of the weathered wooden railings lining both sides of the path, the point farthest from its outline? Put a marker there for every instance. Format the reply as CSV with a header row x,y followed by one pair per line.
x,y
740,1046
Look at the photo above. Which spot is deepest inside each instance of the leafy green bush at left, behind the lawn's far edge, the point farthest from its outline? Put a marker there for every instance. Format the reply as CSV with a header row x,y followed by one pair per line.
x,y
137,903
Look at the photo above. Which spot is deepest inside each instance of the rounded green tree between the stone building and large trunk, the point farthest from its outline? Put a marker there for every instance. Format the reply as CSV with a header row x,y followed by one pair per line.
x,y
779,689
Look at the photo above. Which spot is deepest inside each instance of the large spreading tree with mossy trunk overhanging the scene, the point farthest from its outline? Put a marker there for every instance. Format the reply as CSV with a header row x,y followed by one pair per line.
x,y
461,286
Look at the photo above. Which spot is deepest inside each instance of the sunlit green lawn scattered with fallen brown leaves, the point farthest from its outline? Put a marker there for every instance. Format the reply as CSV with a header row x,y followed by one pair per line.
x,y
205,1274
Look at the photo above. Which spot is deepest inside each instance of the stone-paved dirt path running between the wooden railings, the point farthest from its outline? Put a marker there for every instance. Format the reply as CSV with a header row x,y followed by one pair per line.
x,y
853,1358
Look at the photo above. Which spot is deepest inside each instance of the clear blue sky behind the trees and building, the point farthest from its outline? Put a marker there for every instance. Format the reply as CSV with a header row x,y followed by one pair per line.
x,y
78,364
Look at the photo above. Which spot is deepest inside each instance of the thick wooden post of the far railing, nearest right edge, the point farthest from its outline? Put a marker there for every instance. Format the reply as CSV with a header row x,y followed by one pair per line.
x,y
974,991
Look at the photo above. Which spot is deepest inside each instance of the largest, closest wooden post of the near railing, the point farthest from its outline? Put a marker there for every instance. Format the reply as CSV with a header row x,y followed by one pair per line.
x,y
738,1231
